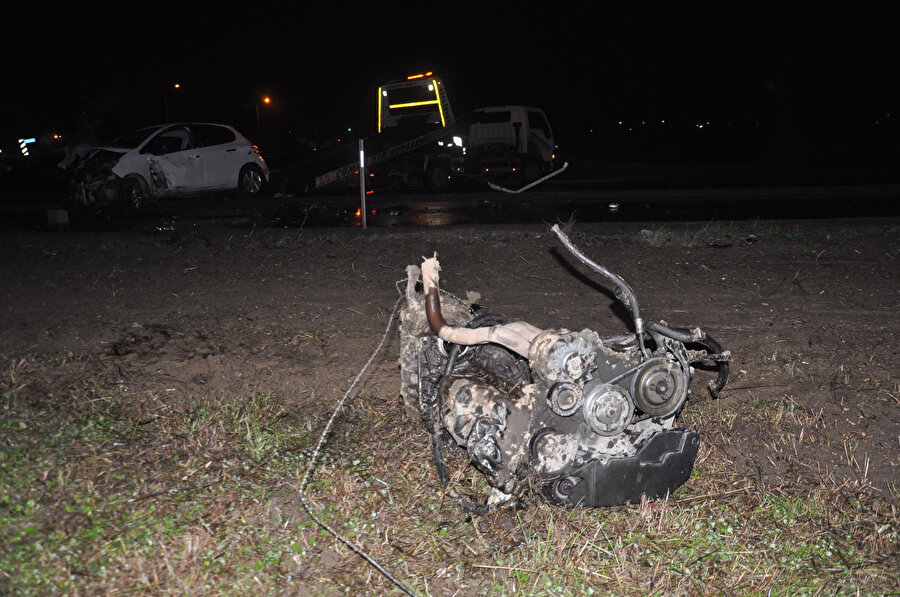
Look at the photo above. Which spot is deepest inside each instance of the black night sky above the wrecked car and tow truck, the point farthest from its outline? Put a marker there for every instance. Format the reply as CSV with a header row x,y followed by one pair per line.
x,y
66,65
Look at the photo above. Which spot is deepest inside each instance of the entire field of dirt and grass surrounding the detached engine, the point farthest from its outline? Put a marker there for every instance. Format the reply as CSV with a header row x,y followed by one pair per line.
x,y
162,392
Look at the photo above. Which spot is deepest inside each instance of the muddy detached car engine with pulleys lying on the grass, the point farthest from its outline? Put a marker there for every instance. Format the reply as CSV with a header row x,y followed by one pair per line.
x,y
581,420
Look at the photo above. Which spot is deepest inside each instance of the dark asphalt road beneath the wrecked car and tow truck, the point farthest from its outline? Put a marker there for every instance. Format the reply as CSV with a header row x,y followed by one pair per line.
x,y
596,193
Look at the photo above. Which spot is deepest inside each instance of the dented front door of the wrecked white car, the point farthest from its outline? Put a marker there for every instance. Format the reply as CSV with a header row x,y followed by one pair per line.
x,y
176,166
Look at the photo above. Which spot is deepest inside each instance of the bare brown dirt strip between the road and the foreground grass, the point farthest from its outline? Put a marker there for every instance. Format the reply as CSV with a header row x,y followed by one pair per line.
x,y
808,310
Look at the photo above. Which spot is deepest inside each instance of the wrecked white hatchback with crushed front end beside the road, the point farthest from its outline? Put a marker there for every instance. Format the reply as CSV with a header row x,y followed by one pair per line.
x,y
164,161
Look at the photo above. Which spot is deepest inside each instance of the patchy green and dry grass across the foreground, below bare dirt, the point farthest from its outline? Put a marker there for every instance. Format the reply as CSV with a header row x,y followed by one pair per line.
x,y
109,490
